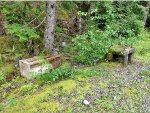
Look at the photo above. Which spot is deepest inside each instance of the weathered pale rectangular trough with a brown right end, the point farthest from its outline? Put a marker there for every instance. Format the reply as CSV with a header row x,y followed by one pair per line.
x,y
35,66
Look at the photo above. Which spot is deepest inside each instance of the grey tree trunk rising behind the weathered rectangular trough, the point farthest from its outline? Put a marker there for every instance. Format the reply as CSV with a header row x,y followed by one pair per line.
x,y
50,25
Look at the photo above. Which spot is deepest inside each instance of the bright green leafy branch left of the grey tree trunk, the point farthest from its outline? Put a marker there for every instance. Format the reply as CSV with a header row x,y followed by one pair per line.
x,y
24,33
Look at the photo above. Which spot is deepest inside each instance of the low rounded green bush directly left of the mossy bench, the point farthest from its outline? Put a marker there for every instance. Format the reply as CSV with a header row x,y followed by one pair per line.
x,y
90,47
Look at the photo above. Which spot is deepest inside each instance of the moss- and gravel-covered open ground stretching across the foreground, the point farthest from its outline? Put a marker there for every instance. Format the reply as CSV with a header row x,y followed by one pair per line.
x,y
109,87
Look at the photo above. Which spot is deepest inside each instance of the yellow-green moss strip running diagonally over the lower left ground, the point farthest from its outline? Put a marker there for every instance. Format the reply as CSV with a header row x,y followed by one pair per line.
x,y
40,101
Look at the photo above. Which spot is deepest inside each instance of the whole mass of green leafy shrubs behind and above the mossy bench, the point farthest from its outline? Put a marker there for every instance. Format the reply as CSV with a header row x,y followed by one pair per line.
x,y
120,23
